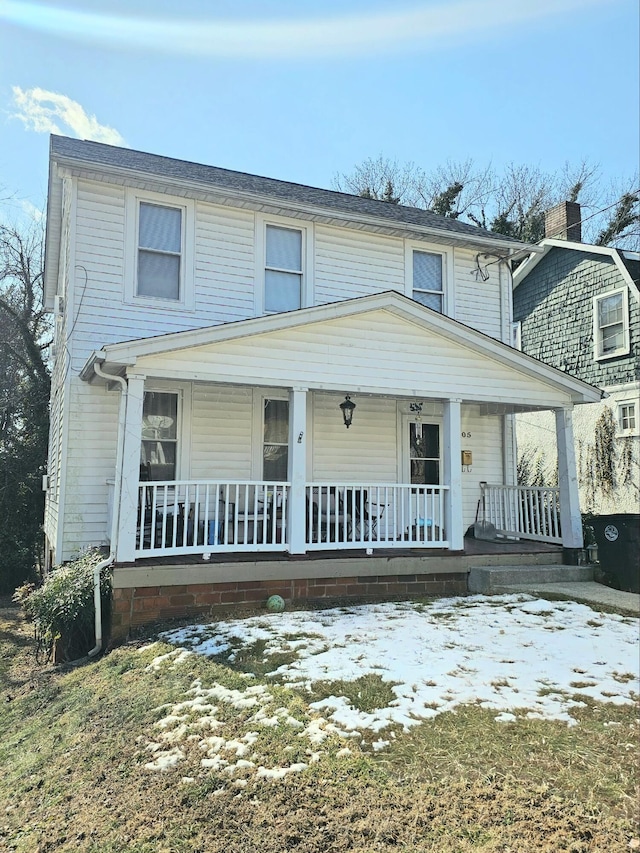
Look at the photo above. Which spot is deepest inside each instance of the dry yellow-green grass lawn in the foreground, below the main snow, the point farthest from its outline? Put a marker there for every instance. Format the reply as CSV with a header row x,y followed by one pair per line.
x,y
126,754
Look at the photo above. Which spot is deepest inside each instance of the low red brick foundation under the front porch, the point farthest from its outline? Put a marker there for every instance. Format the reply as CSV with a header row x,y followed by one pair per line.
x,y
137,606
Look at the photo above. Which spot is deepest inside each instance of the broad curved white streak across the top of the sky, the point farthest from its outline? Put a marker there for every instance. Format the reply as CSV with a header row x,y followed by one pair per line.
x,y
419,25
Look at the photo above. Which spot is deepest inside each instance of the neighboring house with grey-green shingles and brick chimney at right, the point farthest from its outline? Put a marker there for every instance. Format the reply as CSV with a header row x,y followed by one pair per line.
x,y
577,308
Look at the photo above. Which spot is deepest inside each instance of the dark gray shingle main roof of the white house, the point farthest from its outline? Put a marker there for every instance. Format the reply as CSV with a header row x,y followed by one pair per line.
x,y
125,158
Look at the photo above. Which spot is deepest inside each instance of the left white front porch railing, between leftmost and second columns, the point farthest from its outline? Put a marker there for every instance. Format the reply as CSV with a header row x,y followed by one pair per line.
x,y
195,517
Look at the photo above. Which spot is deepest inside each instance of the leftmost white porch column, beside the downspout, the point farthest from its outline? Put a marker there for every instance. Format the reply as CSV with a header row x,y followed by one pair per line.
x,y
128,498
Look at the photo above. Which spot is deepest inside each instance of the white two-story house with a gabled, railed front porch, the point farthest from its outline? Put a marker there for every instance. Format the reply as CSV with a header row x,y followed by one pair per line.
x,y
214,331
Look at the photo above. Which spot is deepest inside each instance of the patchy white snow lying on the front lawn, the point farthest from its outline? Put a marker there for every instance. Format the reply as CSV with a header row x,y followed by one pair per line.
x,y
520,657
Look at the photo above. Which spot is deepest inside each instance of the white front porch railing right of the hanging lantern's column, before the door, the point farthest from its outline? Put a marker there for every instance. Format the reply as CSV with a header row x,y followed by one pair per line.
x,y
356,515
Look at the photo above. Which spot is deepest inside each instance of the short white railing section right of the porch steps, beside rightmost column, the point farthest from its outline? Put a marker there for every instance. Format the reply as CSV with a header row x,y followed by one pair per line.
x,y
525,512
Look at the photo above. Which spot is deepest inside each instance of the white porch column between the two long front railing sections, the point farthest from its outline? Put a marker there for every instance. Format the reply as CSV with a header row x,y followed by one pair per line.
x,y
296,515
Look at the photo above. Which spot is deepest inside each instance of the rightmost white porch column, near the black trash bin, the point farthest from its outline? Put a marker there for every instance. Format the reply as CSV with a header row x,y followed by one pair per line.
x,y
570,518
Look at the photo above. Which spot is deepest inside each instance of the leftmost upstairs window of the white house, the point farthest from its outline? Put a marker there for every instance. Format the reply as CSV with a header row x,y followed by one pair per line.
x,y
159,252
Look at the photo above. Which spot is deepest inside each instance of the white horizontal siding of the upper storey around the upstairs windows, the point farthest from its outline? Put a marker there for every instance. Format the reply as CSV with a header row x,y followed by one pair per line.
x,y
344,264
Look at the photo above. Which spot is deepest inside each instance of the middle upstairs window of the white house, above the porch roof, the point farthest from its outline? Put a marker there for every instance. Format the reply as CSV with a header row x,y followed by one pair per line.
x,y
283,269
